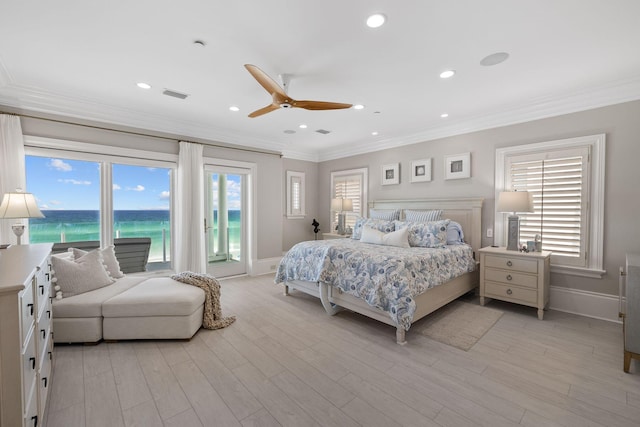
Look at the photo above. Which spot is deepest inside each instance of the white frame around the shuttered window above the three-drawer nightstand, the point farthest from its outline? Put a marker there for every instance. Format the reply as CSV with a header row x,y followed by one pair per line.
x,y
595,226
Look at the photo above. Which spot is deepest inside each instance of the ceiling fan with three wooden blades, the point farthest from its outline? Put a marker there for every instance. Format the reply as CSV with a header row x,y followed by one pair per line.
x,y
280,97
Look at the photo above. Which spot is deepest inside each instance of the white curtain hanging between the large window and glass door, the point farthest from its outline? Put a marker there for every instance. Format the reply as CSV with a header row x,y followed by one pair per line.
x,y
190,240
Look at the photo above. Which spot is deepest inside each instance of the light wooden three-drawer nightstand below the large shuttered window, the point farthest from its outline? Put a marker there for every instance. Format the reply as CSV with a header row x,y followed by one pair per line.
x,y
518,277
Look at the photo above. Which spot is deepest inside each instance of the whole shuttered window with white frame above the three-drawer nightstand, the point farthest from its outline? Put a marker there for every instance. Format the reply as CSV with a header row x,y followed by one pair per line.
x,y
566,180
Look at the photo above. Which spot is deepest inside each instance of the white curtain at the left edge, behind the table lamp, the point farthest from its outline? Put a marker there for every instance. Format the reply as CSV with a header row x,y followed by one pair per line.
x,y
12,172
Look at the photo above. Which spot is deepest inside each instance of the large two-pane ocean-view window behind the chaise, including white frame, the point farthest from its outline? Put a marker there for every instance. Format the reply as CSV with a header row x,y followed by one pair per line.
x,y
94,192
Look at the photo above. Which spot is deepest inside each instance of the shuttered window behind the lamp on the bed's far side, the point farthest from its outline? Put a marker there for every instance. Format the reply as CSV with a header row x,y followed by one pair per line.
x,y
350,184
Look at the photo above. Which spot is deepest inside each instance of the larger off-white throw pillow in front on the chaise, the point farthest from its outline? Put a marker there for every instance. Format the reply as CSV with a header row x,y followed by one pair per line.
x,y
84,274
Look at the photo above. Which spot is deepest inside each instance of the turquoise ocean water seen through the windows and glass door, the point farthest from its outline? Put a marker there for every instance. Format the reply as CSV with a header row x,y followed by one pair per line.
x,y
81,225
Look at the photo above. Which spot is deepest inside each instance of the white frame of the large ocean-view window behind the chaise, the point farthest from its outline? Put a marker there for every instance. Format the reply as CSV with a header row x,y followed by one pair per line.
x,y
104,155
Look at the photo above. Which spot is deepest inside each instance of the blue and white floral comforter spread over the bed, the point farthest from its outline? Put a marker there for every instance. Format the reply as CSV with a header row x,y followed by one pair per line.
x,y
386,277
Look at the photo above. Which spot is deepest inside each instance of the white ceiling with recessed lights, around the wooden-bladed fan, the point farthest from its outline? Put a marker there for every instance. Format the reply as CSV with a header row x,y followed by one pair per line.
x,y
83,59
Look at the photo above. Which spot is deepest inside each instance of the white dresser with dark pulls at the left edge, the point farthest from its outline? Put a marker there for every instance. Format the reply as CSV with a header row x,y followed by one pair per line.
x,y
26,342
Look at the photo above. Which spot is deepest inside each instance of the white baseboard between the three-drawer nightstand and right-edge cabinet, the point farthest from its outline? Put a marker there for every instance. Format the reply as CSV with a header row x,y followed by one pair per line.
x,y
585,303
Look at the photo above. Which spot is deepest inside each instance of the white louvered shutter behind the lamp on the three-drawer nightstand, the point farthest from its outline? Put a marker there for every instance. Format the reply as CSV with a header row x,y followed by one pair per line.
x,y
559,184
